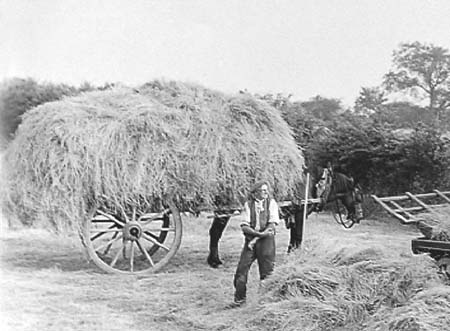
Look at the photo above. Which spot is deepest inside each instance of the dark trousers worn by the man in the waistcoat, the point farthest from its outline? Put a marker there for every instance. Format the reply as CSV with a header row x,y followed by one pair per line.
x,y
264,253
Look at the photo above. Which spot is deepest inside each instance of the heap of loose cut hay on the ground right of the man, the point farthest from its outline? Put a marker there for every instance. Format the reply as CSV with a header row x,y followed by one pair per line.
x,y
365,288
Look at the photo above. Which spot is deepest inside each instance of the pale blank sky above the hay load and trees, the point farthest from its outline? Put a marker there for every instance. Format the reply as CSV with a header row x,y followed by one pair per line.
x,y
306,47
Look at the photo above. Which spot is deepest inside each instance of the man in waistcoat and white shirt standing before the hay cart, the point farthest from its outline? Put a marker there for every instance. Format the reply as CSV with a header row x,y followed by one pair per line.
x,y
260,217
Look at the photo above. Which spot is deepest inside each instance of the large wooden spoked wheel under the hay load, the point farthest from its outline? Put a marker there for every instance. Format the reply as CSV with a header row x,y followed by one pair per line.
x,y
133,244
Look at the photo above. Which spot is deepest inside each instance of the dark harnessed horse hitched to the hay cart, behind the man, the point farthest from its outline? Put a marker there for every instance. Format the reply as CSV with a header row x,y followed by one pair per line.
x,y
330,187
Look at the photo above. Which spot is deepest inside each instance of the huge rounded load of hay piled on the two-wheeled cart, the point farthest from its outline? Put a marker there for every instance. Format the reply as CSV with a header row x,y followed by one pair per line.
x,y
141,146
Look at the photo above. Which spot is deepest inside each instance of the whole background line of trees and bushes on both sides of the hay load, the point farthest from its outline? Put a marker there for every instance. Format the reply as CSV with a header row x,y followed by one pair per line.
x,y
388,146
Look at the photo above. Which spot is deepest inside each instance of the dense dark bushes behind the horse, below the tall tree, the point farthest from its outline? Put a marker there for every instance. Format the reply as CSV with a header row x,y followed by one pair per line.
x,y
396,147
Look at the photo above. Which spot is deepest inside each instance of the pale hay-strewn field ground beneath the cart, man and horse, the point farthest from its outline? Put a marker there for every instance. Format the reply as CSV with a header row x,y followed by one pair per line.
x,y
47,282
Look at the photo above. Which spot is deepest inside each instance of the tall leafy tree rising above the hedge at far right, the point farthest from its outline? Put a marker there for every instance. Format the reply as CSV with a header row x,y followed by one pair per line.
x,y
422,69
